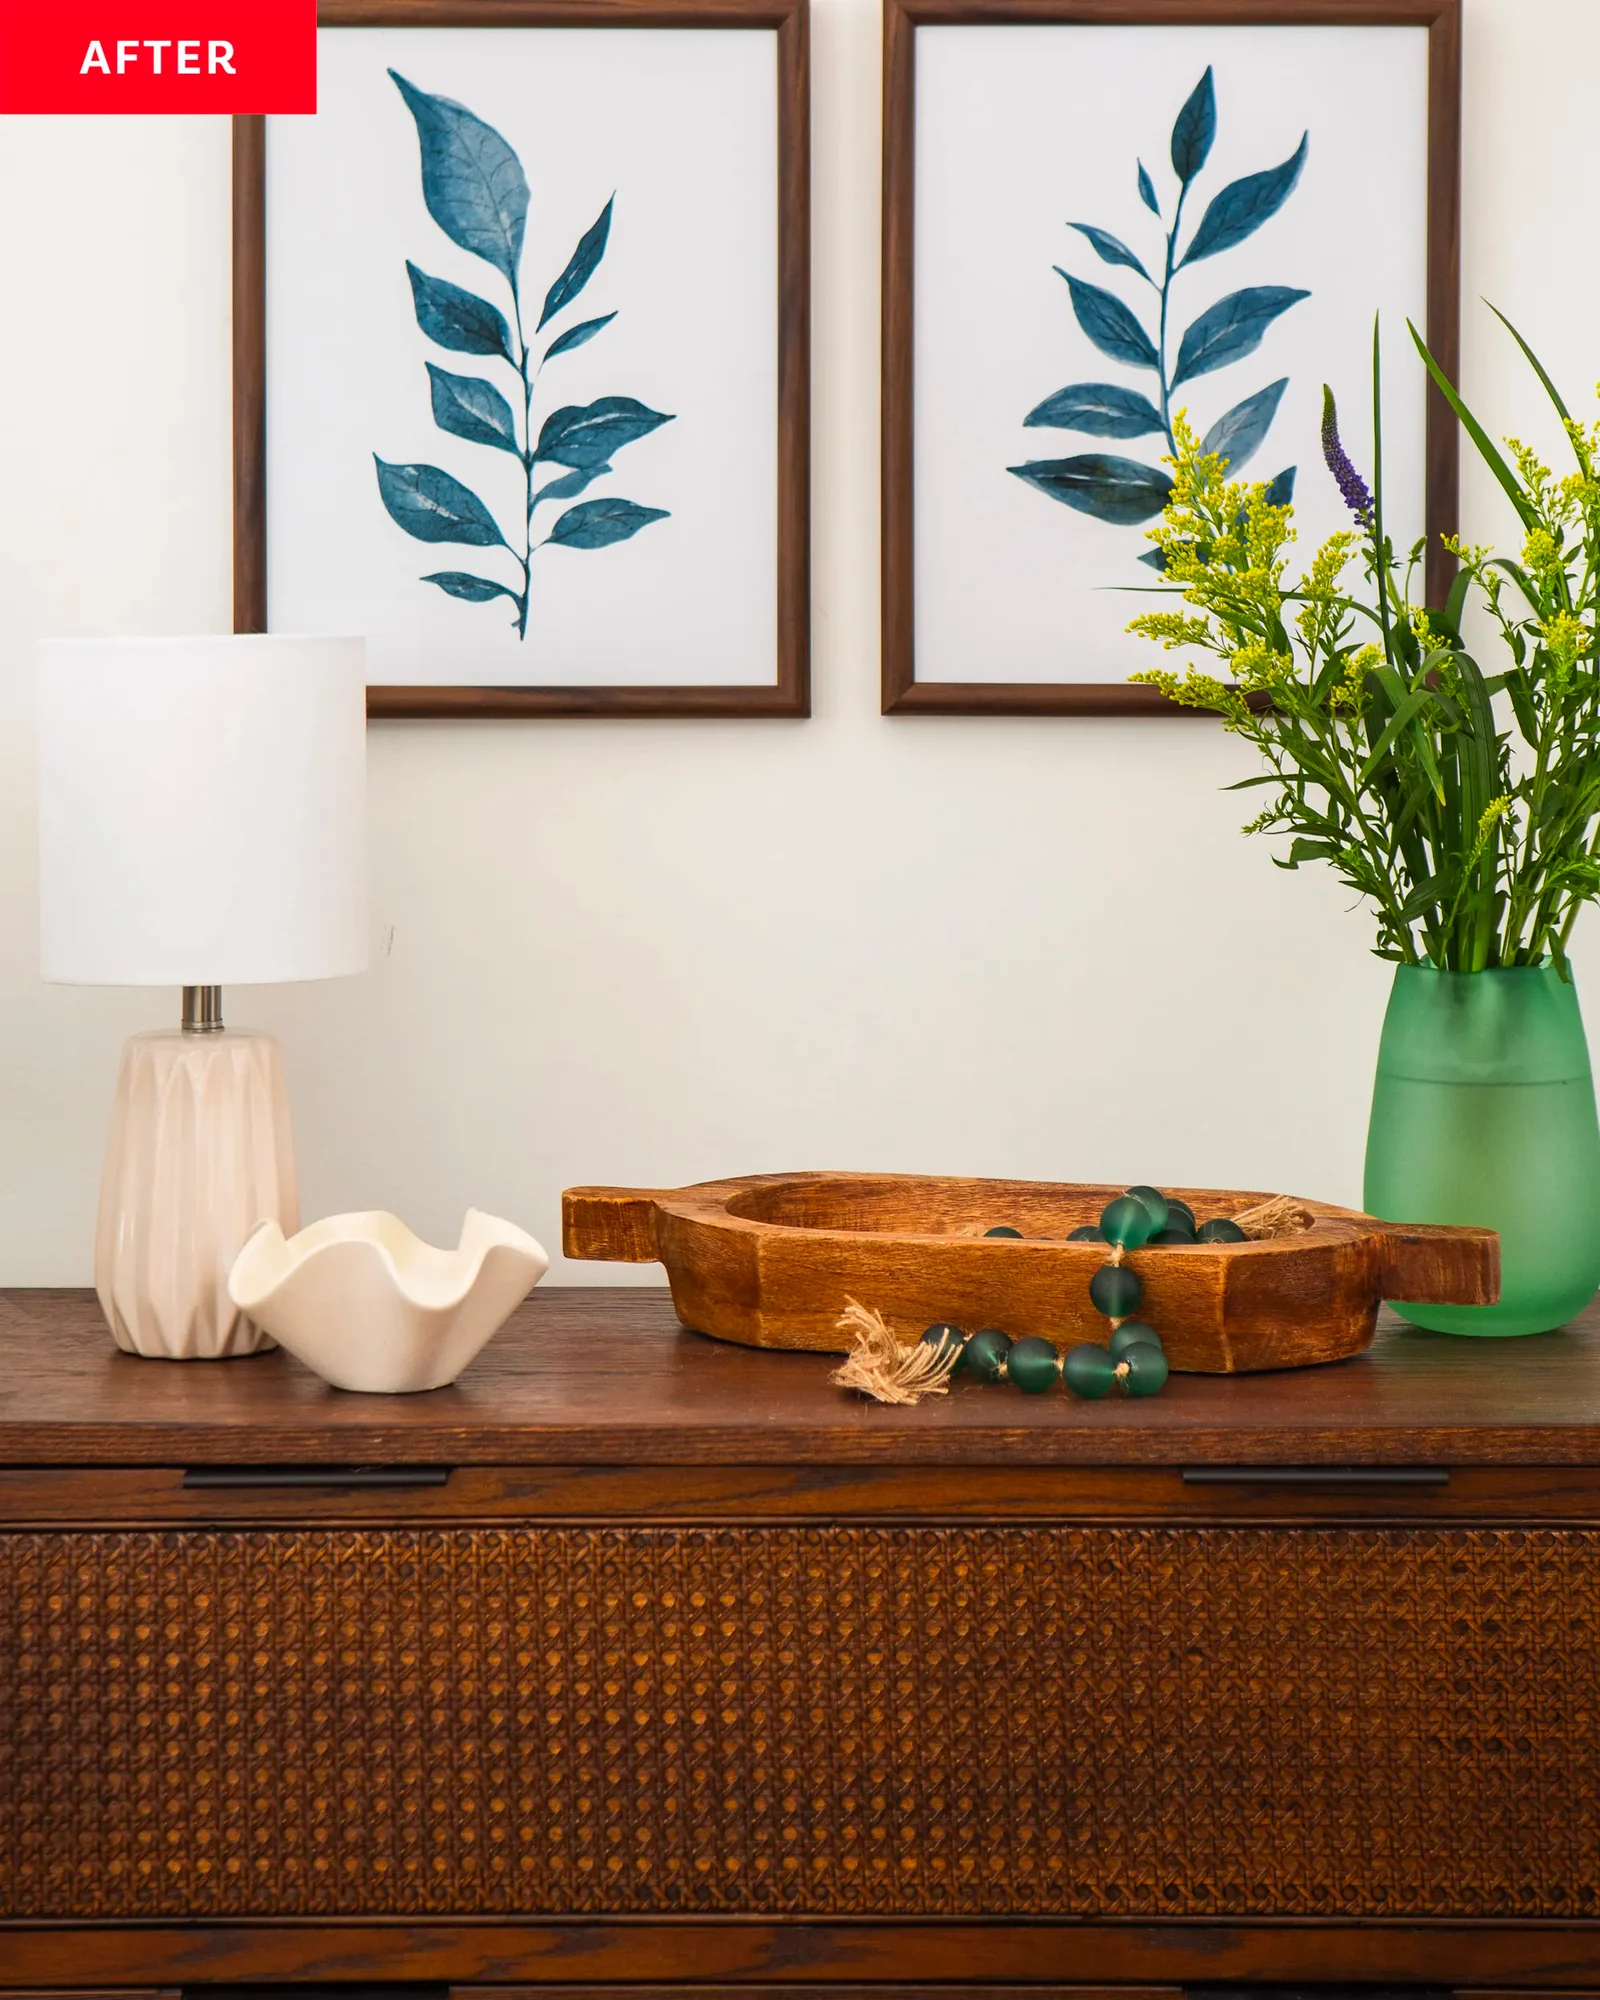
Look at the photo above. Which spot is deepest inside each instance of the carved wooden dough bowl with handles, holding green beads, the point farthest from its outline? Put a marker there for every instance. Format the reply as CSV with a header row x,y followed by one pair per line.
x,y
771,1263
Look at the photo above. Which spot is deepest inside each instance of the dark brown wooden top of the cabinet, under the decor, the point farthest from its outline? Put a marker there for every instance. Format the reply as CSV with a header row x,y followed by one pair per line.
x,y
609,1377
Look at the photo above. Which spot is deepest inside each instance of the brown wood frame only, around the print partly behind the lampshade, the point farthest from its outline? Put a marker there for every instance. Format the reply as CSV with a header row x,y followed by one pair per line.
x,y
791,693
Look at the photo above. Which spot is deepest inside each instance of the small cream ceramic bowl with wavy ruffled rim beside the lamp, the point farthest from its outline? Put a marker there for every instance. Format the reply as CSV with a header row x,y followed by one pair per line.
x,y
371,1307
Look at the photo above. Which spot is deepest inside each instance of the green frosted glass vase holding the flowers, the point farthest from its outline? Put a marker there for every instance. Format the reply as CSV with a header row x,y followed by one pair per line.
x,y
1483,1113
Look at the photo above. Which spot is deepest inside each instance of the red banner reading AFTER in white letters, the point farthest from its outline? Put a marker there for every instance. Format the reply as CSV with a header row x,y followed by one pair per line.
x,y
159,57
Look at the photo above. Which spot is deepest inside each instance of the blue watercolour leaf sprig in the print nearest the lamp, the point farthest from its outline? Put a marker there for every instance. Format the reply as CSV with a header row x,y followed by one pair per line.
x,y
477,193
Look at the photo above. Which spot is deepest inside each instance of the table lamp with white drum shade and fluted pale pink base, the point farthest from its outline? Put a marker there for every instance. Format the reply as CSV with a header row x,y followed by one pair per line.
x,y
203,825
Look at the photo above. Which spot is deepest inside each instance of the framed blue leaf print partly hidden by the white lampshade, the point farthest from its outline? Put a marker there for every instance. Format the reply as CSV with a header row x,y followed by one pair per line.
x,y
521,347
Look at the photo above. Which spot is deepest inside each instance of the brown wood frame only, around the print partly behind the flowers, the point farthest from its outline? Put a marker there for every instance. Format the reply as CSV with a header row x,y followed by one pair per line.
x,y
903,693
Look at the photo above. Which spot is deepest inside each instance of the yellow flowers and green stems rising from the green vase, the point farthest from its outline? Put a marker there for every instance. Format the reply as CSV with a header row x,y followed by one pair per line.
x,y
1461,805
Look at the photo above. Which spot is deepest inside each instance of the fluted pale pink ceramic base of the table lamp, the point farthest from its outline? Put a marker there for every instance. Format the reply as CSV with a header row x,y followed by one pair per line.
x,y
199,1155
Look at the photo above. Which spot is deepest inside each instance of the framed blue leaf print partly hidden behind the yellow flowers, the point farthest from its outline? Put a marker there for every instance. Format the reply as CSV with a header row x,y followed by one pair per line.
x,y
1105,213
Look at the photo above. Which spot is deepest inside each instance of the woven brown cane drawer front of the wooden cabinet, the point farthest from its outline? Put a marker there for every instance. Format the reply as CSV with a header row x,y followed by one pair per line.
x,y
815,1721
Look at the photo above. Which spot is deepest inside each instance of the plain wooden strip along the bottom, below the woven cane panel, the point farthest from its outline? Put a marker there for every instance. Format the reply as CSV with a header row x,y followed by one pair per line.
x,y
695,1955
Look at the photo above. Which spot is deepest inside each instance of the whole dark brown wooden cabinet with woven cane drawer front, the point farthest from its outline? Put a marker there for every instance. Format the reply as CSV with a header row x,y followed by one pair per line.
x,y
639,1661
